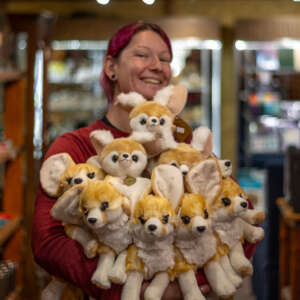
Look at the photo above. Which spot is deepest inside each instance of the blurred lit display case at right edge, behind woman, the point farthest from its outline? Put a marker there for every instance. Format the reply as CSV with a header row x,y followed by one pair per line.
x,y
266,55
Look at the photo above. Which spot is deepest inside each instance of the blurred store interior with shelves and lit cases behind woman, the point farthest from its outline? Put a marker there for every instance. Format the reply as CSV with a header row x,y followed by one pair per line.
x,y
240,61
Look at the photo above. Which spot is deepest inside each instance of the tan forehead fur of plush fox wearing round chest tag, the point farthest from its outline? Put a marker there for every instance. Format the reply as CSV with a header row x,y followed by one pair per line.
x,y
121,145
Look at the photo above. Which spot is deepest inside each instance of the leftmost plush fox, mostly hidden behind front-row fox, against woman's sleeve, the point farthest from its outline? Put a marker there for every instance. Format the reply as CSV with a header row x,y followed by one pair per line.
x,y
57,175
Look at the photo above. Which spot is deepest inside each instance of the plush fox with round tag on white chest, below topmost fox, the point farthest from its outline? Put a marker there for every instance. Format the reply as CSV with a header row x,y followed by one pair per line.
x,y
124,160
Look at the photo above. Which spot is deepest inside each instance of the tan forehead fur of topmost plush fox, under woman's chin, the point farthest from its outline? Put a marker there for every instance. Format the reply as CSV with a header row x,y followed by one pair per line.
x,y
151,108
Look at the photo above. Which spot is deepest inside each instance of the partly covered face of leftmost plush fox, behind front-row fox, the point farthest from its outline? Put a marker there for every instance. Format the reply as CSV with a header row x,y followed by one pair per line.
x,y
79,174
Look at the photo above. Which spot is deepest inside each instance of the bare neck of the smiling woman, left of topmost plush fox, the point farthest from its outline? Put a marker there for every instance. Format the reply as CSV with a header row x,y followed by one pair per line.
x,y
118,117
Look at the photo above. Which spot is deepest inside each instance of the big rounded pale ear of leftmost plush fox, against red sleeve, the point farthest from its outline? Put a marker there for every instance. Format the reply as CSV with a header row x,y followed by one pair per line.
x,y
52,170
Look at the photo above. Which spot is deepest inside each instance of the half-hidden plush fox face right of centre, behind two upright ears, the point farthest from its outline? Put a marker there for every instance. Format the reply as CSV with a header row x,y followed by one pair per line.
x,y
184,157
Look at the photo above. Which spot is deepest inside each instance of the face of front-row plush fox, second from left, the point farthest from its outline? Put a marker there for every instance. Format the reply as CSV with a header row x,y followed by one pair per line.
x,y
153,217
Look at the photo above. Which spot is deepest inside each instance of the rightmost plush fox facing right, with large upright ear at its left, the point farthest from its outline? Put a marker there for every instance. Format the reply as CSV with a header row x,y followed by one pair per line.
x,y
226,203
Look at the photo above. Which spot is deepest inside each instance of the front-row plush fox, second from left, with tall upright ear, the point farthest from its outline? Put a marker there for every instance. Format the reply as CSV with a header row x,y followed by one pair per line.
x,y
152,254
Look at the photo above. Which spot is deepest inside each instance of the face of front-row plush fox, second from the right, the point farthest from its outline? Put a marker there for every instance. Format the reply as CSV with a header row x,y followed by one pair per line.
x,y
193,217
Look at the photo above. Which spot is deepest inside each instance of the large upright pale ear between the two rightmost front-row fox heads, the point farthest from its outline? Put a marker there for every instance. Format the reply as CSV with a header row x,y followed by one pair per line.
x,y
205,179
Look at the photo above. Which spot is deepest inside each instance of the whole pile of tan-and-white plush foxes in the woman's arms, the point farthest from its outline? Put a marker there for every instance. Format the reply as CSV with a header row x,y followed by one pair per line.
x,y
188,213
